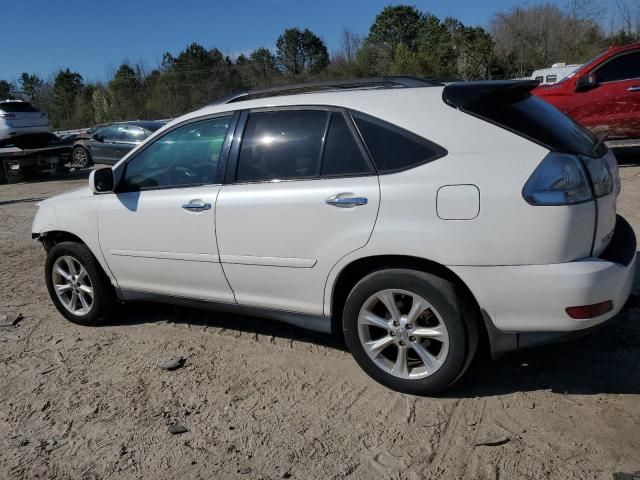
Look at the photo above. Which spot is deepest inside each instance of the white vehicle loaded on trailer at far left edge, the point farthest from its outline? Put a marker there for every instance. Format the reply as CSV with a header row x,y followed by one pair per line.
x,y
20,118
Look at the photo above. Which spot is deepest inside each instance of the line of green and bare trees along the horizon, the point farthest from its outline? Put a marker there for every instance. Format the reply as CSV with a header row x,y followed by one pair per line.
x,y
401,40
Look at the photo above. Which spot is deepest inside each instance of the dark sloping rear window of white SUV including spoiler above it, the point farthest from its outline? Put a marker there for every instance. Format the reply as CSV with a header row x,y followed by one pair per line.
x,y
510,105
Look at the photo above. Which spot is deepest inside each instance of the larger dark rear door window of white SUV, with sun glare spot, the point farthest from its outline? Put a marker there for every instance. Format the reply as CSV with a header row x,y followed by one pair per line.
x,y
283,144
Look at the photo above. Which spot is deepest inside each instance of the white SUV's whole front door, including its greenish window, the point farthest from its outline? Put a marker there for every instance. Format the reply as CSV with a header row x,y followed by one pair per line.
x,y
157,232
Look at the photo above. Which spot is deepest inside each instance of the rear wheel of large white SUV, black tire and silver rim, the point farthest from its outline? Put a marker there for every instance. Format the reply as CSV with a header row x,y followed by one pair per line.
x,y
431,343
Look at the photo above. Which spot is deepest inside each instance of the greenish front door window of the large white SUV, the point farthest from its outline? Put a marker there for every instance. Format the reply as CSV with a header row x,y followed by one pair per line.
x,y
186,156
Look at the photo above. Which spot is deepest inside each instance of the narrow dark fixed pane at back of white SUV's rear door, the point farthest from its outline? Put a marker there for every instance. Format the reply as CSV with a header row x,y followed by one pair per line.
x,y
342,154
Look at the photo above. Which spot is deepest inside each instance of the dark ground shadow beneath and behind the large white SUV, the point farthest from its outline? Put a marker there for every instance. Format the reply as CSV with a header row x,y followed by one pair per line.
x,y
606,361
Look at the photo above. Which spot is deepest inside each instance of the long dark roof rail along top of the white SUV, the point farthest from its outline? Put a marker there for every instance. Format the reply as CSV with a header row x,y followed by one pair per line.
x,y
330,85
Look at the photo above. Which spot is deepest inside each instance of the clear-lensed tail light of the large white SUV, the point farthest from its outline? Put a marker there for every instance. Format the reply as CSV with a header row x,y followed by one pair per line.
x,y
565,179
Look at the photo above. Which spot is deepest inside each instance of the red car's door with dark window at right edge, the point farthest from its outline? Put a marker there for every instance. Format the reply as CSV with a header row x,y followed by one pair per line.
x,y
612,107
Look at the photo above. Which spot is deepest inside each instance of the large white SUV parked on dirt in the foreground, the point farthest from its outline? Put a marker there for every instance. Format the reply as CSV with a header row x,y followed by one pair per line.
x,y
413,218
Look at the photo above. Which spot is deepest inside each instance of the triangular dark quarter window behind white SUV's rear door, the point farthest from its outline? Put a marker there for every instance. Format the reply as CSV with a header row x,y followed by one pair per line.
x,y
392,148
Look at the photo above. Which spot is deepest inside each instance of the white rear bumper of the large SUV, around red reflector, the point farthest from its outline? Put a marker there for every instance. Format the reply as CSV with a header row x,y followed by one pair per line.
x,y
529,301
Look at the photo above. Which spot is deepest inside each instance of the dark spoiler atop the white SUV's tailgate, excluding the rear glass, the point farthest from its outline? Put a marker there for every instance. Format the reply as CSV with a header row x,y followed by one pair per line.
x,y
466,95
